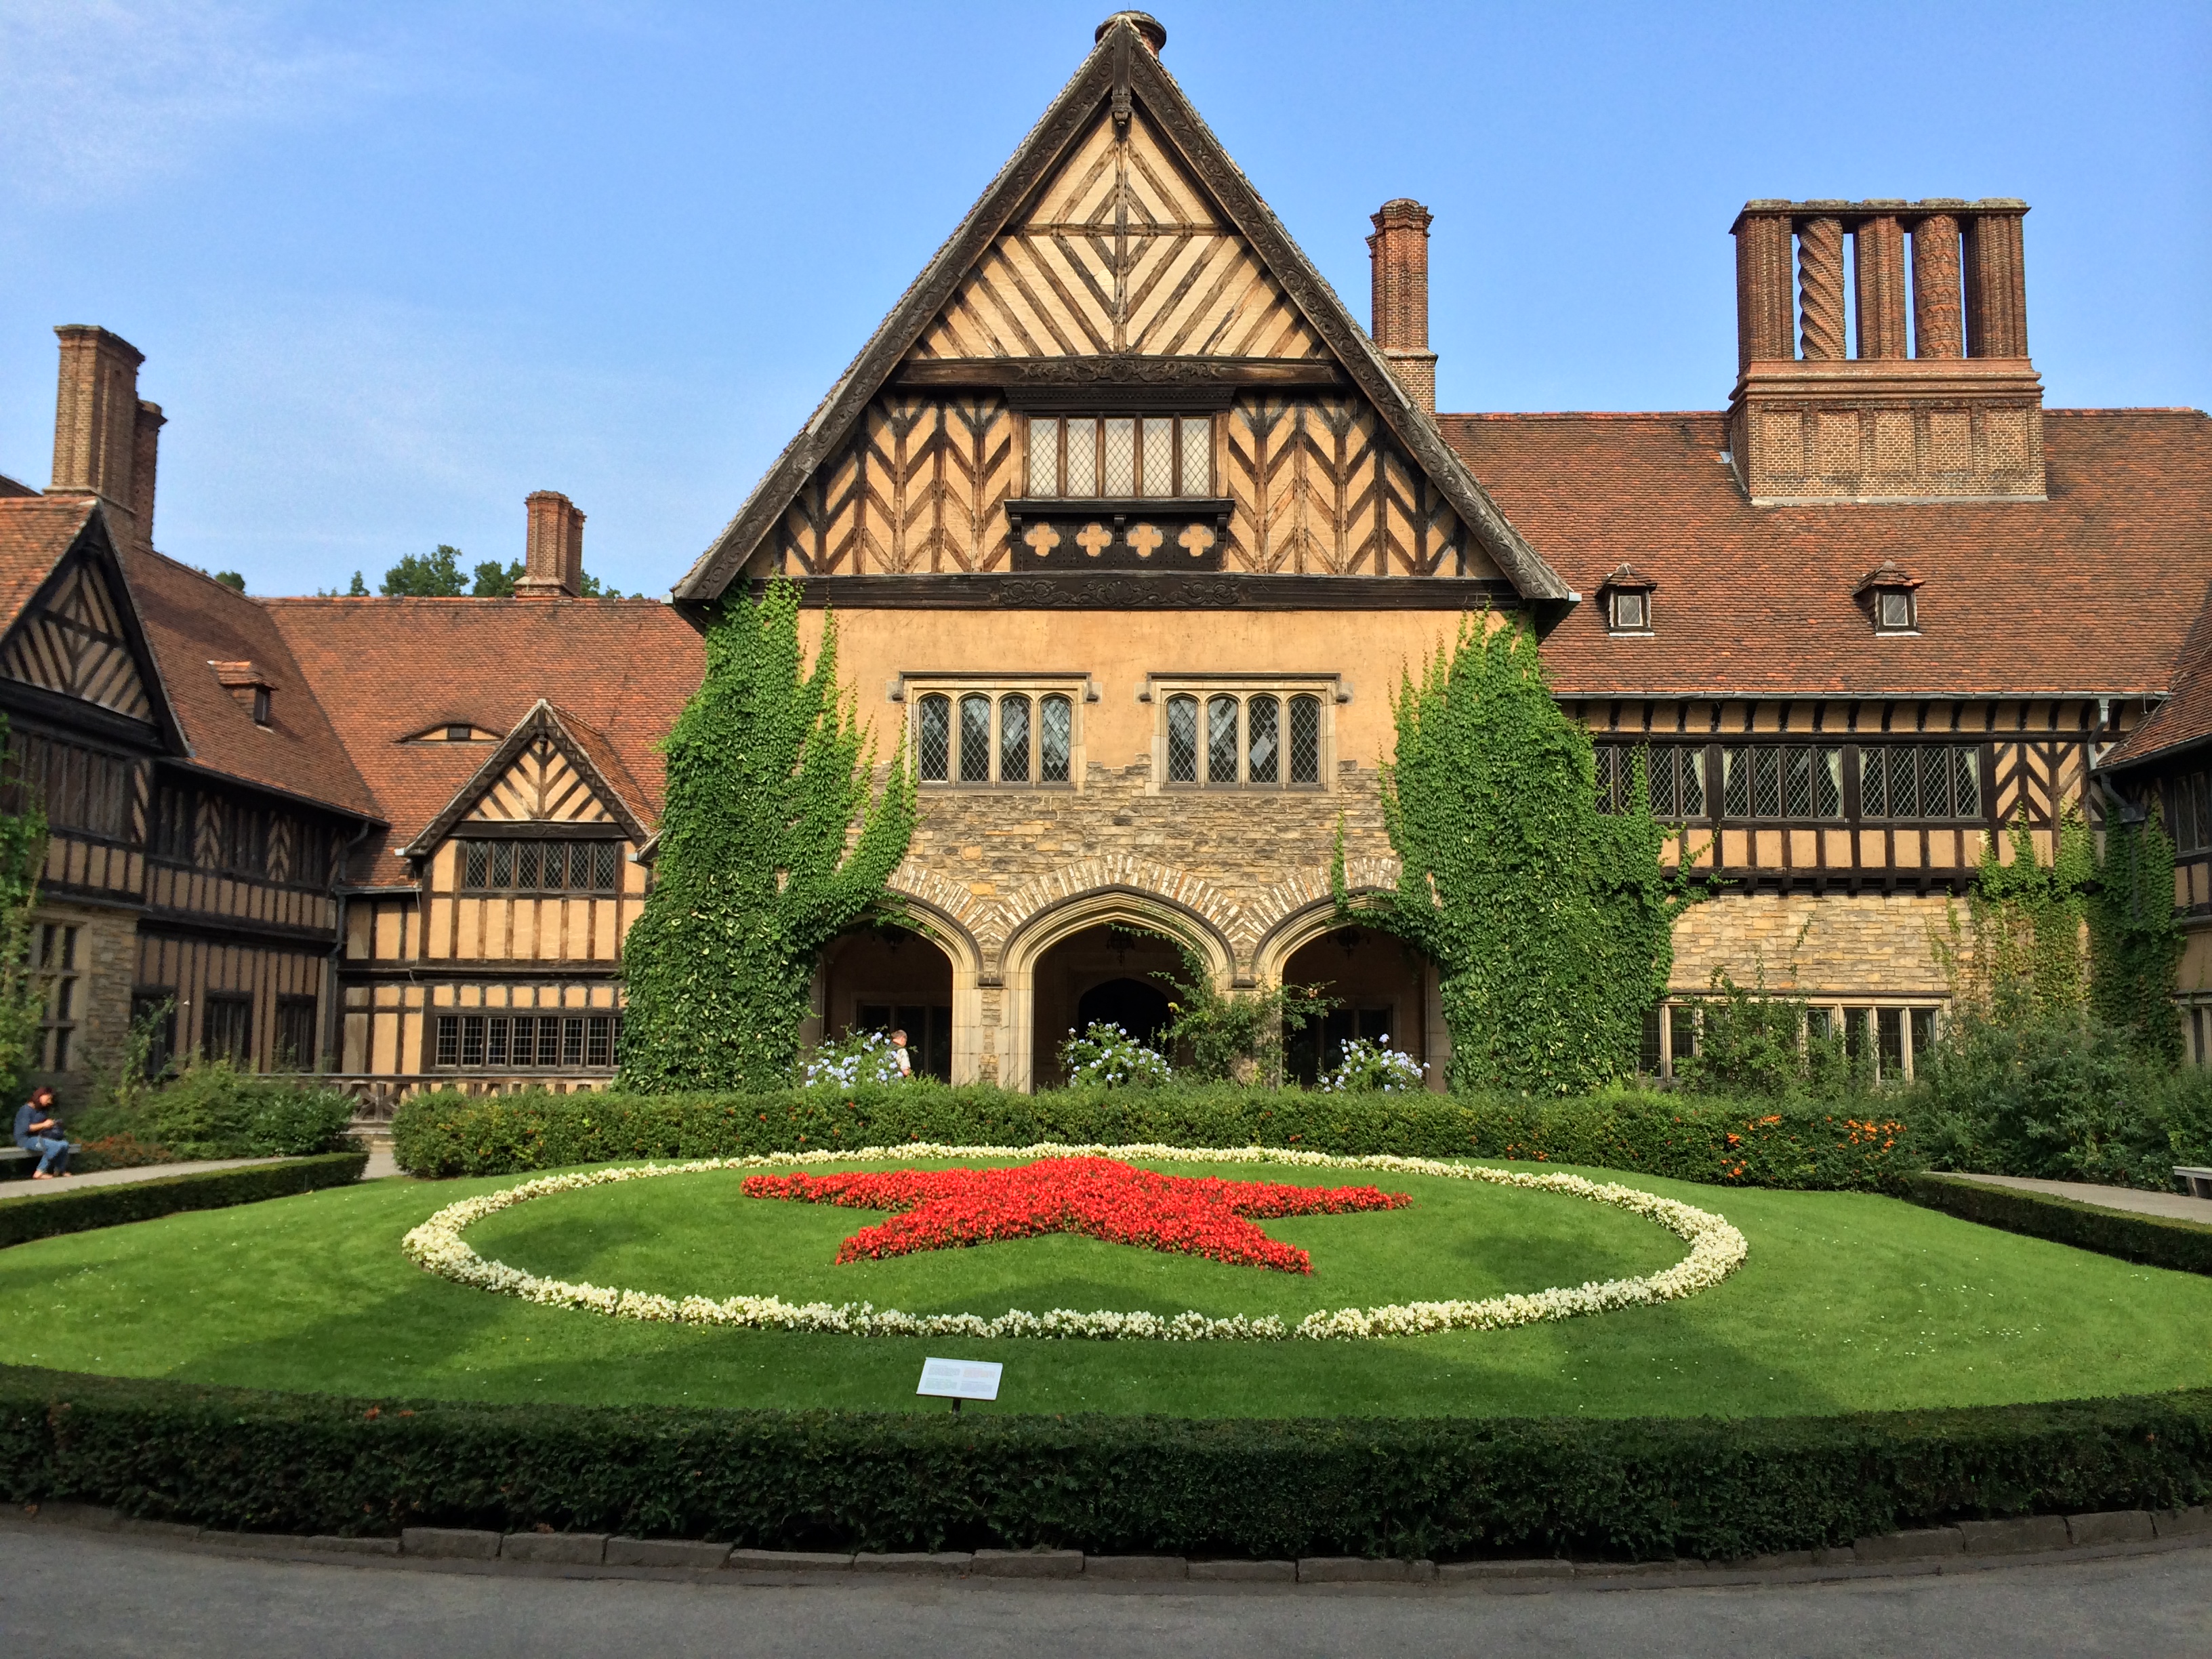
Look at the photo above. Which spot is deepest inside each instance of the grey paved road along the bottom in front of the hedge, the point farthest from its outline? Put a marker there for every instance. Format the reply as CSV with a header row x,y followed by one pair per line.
x,y
98,1594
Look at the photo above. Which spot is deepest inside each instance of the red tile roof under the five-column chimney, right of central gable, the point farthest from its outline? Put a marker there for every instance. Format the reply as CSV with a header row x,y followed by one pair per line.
x,y
2085,594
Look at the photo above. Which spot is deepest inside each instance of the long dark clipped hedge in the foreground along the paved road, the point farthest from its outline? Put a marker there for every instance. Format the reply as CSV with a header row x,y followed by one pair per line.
x,y
1392,1488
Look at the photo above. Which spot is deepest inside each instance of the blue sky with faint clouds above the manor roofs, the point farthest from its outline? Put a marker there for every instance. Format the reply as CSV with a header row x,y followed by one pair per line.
x,y
397,267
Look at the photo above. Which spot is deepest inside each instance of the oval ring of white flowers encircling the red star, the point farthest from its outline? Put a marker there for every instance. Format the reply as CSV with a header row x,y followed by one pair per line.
x,y
1715,1253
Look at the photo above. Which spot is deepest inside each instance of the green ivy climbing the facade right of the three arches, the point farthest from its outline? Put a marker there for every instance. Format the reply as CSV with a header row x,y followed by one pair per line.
x,y
1550,921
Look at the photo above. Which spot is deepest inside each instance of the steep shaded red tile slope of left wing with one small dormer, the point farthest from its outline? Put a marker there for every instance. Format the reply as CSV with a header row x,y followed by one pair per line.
x,y
194,625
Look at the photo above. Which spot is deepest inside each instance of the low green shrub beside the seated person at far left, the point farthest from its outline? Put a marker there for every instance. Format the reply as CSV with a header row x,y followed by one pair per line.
x,y
213,1109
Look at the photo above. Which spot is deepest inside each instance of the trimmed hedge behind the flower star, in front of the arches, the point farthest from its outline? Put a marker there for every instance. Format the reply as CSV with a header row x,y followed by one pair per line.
x,y
1678,1136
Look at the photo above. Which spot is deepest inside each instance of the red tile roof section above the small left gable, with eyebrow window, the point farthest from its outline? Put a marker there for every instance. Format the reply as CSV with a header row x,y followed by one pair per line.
x,y
390,669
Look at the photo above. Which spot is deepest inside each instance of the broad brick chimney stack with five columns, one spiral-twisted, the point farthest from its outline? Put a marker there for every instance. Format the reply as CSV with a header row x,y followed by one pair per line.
x,y
1824,415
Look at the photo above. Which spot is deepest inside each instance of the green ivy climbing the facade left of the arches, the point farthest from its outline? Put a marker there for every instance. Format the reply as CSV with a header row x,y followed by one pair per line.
x,y
775,839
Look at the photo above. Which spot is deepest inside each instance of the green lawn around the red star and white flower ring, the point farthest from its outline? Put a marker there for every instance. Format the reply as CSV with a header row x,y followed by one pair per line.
x,y
1848,1302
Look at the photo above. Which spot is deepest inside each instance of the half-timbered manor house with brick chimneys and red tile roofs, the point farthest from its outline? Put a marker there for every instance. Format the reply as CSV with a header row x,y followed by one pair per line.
x,y
1131,530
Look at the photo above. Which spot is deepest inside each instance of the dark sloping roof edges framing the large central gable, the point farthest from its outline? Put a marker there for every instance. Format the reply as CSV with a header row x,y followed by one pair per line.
x,y
1118,79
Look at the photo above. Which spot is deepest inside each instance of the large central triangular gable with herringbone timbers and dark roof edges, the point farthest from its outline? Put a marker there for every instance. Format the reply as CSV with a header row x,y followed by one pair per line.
x,y
1123,284
